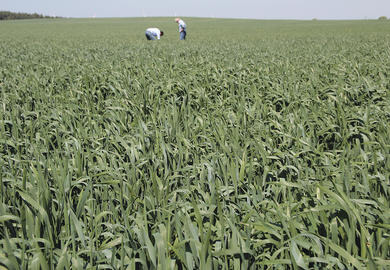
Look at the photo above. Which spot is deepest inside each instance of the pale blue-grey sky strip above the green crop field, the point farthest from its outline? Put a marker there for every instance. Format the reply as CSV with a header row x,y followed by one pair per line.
x,y
256,9
